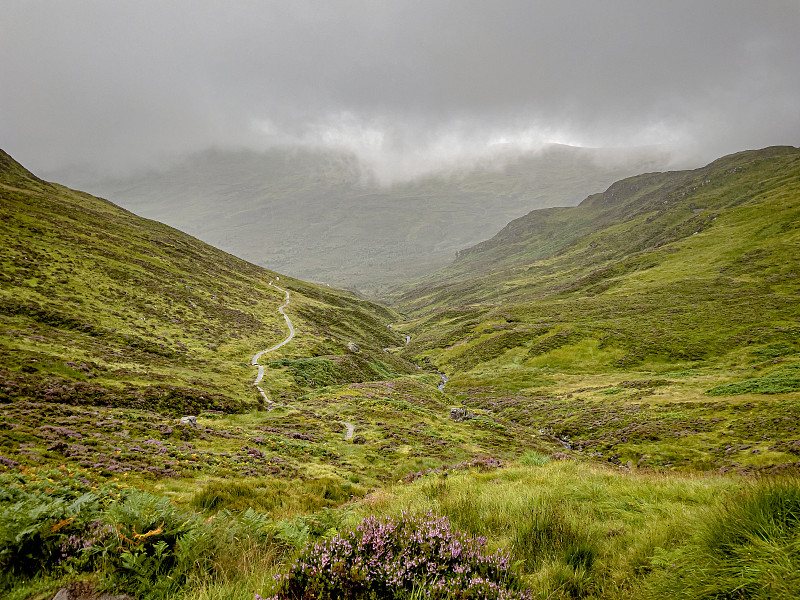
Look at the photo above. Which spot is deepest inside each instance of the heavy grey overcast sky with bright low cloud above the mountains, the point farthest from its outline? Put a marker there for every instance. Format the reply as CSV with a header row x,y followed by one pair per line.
x,y
118,85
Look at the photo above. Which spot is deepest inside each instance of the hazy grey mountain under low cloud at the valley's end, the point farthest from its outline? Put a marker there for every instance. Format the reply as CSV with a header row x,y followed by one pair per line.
x,y
312,213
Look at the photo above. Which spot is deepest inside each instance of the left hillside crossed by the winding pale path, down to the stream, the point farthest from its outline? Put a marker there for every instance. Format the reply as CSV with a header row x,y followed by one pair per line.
x,y
113,326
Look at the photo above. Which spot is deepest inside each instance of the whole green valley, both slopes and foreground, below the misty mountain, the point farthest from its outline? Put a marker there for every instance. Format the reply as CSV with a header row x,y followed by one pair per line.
x,y
625,372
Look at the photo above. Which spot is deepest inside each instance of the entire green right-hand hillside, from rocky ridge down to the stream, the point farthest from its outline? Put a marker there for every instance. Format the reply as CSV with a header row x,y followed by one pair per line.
x,y
609,322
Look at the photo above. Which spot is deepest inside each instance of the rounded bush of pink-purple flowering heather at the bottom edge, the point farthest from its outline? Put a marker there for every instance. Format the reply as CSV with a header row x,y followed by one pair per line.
x,y
399,557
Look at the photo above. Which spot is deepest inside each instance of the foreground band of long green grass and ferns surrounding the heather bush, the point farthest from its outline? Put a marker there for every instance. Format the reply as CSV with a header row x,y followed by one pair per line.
x,y
568,529
